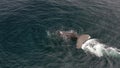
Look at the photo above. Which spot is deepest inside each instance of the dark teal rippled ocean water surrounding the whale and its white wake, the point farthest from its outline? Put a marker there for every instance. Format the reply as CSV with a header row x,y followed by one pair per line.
x,y
27,32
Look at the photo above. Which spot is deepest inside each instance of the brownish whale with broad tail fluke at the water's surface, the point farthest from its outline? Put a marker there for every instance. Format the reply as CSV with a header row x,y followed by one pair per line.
x,y
73,35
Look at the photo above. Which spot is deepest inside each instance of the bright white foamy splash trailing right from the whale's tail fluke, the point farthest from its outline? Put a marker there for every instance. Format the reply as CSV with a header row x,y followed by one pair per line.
x,y
94,47
